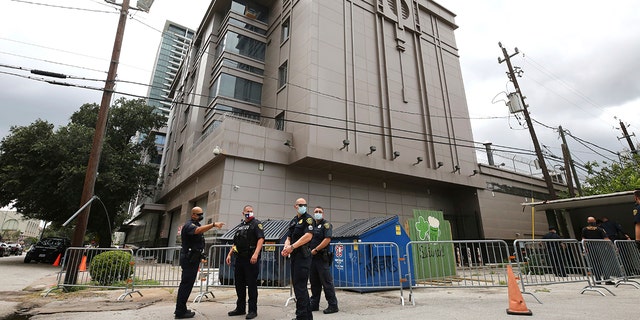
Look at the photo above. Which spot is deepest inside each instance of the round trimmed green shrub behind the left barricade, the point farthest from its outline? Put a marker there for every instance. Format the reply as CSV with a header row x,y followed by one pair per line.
x,y
110,267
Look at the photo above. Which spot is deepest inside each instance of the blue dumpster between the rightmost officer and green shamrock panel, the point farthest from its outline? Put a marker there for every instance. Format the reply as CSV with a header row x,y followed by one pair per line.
x,y
363,267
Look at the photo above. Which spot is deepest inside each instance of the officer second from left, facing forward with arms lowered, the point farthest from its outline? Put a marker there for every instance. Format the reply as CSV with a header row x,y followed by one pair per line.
x,y
247,245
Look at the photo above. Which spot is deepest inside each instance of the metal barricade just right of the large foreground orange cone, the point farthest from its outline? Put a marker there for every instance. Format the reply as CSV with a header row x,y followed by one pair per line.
x,y
551,261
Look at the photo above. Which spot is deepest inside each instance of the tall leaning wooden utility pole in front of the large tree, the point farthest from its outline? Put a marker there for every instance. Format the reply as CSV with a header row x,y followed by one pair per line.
x,y
96,149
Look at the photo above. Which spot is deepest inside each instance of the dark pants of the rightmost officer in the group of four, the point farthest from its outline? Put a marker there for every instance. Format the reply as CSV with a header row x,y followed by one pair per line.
x,y
320,277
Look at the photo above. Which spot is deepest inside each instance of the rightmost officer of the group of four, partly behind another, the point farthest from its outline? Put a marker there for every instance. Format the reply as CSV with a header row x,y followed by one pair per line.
x,y
320,276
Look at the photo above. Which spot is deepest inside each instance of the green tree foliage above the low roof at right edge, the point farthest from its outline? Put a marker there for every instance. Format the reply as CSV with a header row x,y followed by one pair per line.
x,y
613,177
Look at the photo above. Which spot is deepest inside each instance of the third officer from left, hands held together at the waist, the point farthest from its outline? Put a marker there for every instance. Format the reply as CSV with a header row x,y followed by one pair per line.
x,y
297,246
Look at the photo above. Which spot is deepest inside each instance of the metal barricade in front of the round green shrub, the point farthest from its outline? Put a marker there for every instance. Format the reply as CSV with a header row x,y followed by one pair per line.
x,y
92,268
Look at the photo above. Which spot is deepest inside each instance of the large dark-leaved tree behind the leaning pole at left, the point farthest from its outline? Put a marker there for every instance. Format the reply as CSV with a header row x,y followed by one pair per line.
x,y
42,171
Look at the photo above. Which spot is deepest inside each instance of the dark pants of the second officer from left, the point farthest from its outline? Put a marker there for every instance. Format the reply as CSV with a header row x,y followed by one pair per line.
x,y
246,276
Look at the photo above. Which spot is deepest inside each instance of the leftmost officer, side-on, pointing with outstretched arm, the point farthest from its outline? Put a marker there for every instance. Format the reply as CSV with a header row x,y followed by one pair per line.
x,y
192,235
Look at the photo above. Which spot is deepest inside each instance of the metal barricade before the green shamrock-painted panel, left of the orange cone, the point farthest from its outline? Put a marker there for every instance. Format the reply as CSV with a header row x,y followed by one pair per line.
x,y
458,263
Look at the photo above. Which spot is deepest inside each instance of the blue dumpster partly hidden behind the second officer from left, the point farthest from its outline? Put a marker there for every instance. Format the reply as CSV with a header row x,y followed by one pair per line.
x,y
274,269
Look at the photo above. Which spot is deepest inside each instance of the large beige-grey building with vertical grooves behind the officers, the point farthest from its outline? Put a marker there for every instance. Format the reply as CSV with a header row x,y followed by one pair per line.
x,y
357,106
